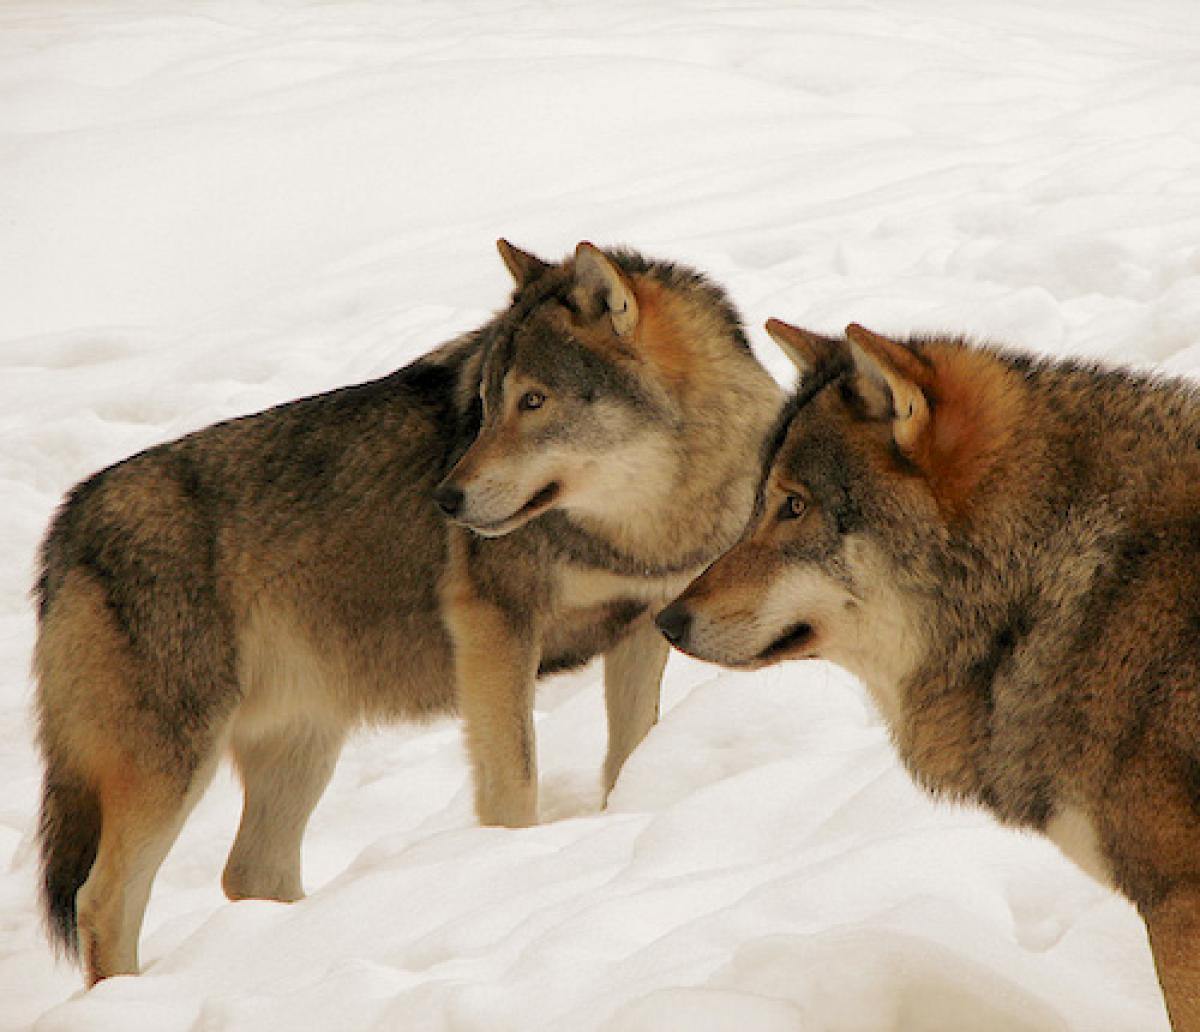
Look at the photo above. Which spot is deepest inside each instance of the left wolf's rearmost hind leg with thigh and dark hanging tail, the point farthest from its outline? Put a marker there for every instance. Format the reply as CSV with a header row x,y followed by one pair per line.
x,y
131,739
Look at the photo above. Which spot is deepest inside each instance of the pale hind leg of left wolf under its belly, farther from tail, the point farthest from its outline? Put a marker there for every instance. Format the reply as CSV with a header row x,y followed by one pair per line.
x,y
284,776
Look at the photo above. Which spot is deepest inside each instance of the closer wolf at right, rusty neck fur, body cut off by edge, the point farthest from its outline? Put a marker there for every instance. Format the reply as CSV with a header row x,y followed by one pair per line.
x,y
1006,551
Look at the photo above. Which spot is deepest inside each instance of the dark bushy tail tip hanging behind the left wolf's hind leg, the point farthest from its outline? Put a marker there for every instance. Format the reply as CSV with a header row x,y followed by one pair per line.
x,y
69,835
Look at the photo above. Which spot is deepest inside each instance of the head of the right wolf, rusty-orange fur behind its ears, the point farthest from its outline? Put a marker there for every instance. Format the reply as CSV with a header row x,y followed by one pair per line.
x,y
880,455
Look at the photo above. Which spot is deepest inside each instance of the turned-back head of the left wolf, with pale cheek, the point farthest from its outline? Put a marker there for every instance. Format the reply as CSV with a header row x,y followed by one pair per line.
x,y
584,386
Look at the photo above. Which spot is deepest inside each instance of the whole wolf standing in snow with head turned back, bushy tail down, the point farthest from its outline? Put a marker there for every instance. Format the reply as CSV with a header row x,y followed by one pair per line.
x,y
519,501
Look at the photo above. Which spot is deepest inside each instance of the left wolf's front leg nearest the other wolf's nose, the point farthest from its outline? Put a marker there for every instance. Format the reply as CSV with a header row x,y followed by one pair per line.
x,y
633,671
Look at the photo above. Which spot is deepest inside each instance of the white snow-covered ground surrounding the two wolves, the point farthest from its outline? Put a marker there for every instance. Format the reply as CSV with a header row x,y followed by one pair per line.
x,y
207,208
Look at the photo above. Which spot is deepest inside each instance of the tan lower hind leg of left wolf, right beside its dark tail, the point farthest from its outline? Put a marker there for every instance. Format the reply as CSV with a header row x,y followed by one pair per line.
x,y
141,818
